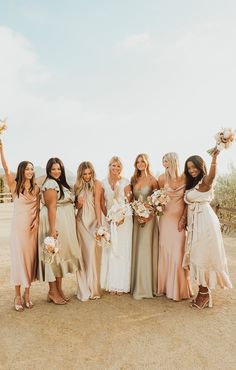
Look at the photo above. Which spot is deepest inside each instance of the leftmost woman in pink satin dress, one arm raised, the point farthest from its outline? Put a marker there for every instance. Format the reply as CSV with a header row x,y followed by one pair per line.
x,y
23,241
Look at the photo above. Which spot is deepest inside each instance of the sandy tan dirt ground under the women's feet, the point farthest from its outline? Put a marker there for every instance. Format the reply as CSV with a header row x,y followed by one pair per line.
x,y
114,332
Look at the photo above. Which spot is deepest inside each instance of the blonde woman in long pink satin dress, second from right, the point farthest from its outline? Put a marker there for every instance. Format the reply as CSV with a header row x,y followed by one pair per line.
x,y
172,277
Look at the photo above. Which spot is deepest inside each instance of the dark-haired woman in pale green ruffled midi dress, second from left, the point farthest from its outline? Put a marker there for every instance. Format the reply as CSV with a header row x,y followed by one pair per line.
x,y
57,219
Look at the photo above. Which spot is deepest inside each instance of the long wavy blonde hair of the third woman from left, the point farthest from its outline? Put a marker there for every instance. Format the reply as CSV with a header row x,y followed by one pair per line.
x,y
80,184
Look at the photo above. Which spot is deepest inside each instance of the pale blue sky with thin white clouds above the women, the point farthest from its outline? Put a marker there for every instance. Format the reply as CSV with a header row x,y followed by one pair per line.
x,y
86,80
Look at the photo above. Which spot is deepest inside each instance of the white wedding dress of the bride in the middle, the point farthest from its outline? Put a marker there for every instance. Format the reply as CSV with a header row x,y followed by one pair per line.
x,y
116,267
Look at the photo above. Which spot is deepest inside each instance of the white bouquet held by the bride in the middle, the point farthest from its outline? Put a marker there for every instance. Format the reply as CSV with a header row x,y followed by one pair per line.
x,y
118,212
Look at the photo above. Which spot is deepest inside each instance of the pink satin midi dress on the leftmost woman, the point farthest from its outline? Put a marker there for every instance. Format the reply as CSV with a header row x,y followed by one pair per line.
x,y
23,240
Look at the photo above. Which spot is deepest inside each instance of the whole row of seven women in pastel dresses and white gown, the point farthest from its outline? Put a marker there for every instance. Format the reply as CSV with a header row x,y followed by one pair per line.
x,y
147,257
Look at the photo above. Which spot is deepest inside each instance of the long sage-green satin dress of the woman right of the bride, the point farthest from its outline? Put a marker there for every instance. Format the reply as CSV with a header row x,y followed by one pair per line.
x,y
144,253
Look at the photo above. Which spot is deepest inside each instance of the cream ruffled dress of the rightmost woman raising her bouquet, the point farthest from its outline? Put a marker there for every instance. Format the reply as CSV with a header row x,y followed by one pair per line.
x,y
204,254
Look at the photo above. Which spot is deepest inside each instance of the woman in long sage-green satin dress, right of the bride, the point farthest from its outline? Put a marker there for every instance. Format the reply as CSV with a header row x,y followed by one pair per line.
x,y
145,239
